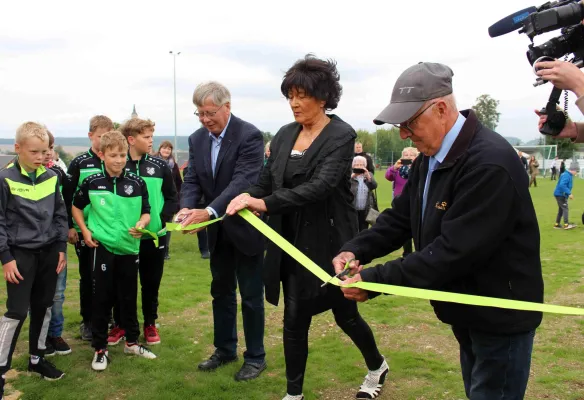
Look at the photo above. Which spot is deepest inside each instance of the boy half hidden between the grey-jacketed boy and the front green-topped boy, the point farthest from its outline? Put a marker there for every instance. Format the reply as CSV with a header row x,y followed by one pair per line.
x,y
80,168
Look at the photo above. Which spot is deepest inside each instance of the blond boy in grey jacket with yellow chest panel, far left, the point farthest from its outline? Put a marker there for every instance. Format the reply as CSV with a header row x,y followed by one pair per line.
x,y
33,238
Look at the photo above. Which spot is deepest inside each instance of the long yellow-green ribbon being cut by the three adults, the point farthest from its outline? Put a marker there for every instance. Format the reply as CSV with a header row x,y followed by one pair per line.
x,y
403,291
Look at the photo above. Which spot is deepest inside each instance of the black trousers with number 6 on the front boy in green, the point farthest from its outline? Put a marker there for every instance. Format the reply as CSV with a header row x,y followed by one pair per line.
x,y
115,278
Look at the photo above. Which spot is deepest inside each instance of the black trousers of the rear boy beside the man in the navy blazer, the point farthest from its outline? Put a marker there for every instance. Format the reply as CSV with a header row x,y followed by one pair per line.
x,y
151,269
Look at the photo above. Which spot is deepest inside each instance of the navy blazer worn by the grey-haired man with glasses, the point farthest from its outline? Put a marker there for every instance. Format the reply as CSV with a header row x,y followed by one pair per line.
x,y
238,166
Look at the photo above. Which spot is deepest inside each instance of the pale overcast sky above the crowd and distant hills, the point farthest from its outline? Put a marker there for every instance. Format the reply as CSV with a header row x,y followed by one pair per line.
x,y
63,61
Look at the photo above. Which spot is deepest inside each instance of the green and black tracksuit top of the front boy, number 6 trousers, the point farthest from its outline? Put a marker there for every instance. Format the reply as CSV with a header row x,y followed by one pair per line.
x,y
115,205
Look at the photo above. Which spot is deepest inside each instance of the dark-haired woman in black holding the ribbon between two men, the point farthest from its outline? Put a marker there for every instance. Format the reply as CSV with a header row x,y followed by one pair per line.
x,y
305,189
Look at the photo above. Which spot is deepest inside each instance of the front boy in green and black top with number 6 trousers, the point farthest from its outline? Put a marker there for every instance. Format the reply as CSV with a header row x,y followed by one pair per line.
x,y
119,207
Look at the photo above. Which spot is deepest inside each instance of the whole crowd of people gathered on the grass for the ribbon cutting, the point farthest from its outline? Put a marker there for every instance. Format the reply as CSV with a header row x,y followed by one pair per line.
x,y
461,195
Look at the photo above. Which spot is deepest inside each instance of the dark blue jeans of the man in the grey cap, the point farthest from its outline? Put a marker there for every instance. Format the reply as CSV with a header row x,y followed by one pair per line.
x,y
494,367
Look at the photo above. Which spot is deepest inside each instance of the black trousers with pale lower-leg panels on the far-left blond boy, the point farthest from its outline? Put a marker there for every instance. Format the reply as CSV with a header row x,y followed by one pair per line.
x,y
36,291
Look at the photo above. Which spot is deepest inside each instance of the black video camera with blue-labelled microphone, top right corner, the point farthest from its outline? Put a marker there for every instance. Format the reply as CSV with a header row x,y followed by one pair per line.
x,y
566,15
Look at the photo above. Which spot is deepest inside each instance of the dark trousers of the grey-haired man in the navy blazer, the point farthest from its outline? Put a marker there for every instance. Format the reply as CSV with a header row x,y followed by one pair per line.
x,y
229,266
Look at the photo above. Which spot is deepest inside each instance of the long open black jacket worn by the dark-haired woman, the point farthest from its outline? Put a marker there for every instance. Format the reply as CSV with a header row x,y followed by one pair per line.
x,y
326,217
